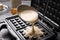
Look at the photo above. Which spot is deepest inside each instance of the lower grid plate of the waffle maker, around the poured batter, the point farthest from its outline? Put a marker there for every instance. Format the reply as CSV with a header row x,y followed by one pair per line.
x,y
18,26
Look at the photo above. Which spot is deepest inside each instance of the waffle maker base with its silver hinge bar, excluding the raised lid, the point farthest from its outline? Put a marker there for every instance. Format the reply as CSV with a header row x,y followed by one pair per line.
x,y
17,25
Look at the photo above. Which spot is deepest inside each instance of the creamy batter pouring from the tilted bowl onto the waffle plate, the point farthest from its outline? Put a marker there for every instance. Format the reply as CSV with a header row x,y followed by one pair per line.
x,y
31,16
